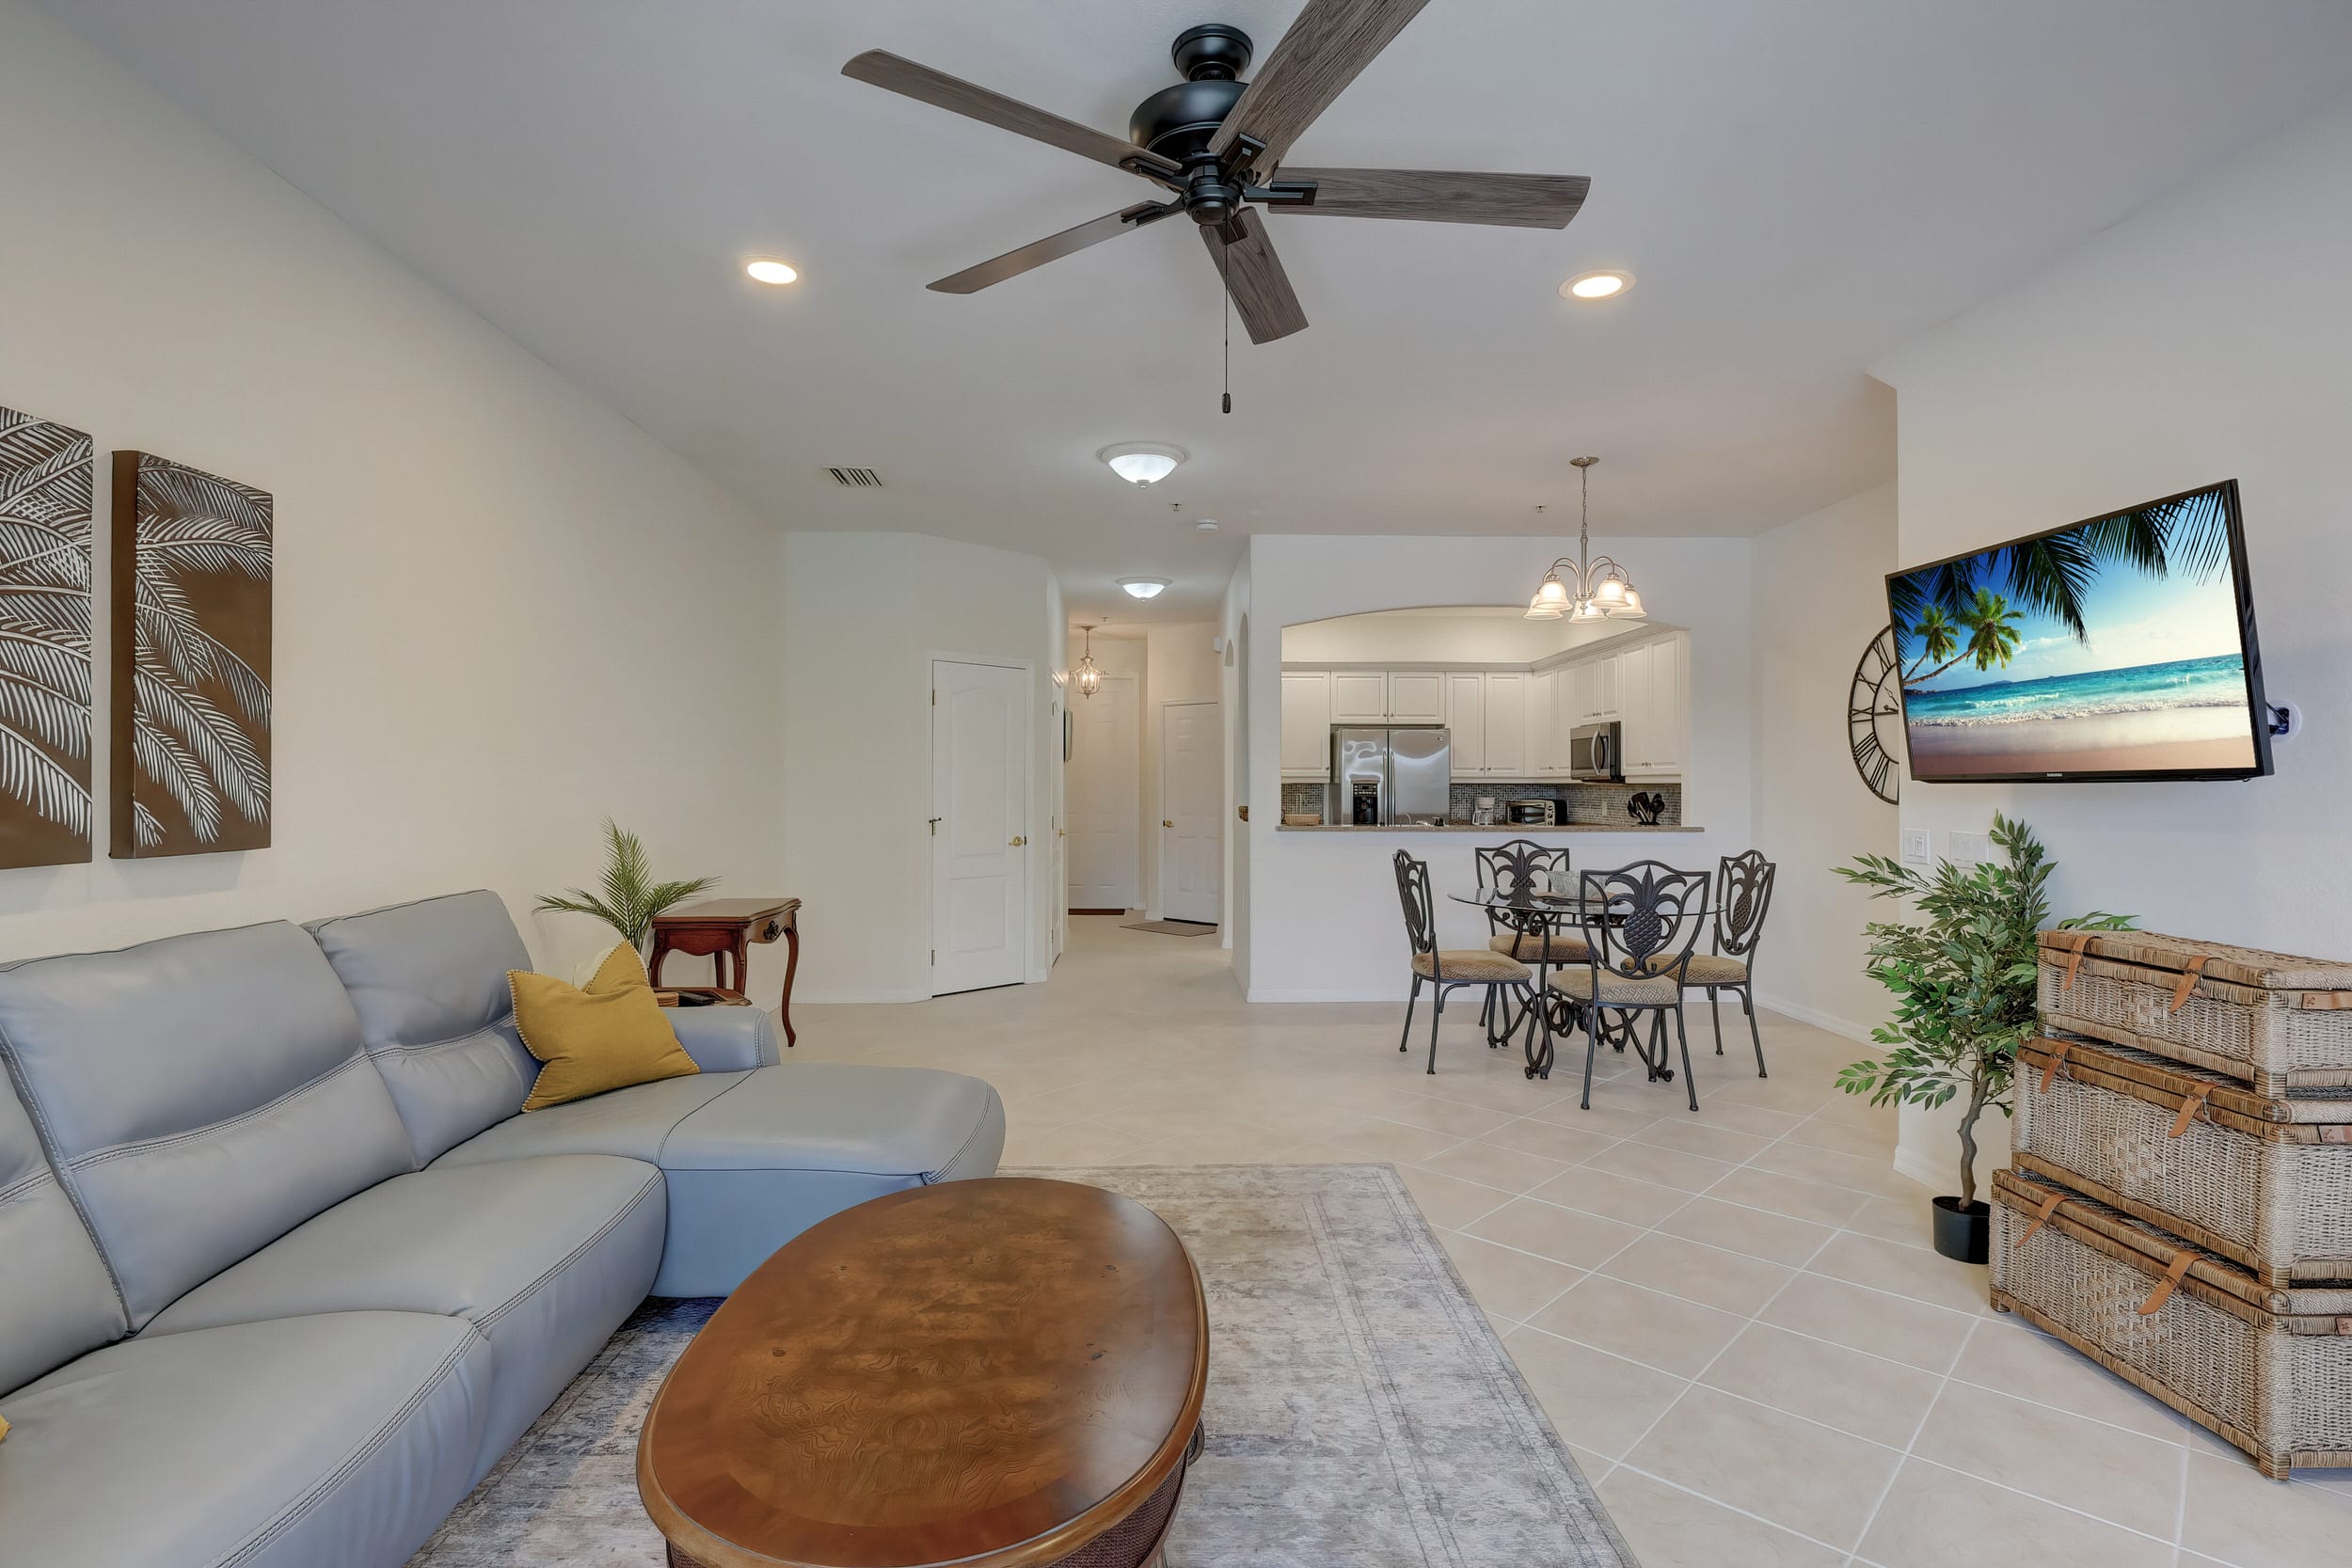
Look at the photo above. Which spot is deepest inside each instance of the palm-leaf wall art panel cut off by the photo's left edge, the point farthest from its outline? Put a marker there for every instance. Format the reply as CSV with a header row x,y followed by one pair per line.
x,y
46,474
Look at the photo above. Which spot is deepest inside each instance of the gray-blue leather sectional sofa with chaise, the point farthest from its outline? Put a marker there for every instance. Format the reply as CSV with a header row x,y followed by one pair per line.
x,y
283,1271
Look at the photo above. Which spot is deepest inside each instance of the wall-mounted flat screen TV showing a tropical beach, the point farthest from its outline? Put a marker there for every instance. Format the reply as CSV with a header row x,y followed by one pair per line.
x,y
2111,650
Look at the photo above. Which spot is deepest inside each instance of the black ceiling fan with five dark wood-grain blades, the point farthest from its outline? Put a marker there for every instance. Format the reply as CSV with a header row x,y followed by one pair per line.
x,y
1217,145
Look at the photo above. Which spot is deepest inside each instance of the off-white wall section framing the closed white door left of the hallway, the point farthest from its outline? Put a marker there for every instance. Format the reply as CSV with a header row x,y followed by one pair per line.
x,y
862,619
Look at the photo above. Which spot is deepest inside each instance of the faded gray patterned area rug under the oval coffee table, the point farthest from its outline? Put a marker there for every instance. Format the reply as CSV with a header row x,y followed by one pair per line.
x,y
1361,1409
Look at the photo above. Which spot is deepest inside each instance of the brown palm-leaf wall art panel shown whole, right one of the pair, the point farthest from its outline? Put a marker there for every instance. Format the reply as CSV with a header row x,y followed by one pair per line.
x,y
192,662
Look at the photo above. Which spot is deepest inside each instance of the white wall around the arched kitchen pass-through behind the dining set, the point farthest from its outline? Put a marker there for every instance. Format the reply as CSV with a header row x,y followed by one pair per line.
x,y
1323,906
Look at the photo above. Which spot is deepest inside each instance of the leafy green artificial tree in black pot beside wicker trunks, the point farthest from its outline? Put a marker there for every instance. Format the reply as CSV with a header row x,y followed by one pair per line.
x,y
1965,998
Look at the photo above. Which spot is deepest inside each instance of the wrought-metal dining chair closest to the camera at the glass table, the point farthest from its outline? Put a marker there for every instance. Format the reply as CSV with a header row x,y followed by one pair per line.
x,y
1641,927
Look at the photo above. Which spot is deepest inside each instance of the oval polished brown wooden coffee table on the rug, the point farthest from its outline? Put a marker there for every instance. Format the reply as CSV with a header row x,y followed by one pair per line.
x,y
994,1374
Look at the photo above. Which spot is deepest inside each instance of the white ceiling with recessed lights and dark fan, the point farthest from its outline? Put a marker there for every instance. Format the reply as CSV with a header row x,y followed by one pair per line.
x,y
1800,187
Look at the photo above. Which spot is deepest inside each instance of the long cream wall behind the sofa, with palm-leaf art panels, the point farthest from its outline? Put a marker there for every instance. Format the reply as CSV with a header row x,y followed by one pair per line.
x,y
502,610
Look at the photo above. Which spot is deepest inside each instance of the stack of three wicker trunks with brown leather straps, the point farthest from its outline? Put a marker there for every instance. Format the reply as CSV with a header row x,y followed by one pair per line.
x,y
2181,1202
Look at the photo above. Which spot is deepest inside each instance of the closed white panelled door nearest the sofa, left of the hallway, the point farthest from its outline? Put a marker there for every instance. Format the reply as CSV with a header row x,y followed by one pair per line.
x,y
980,826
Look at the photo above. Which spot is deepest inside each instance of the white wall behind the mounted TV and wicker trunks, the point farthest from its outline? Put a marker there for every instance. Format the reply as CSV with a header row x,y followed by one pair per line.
x,y
2205,337
